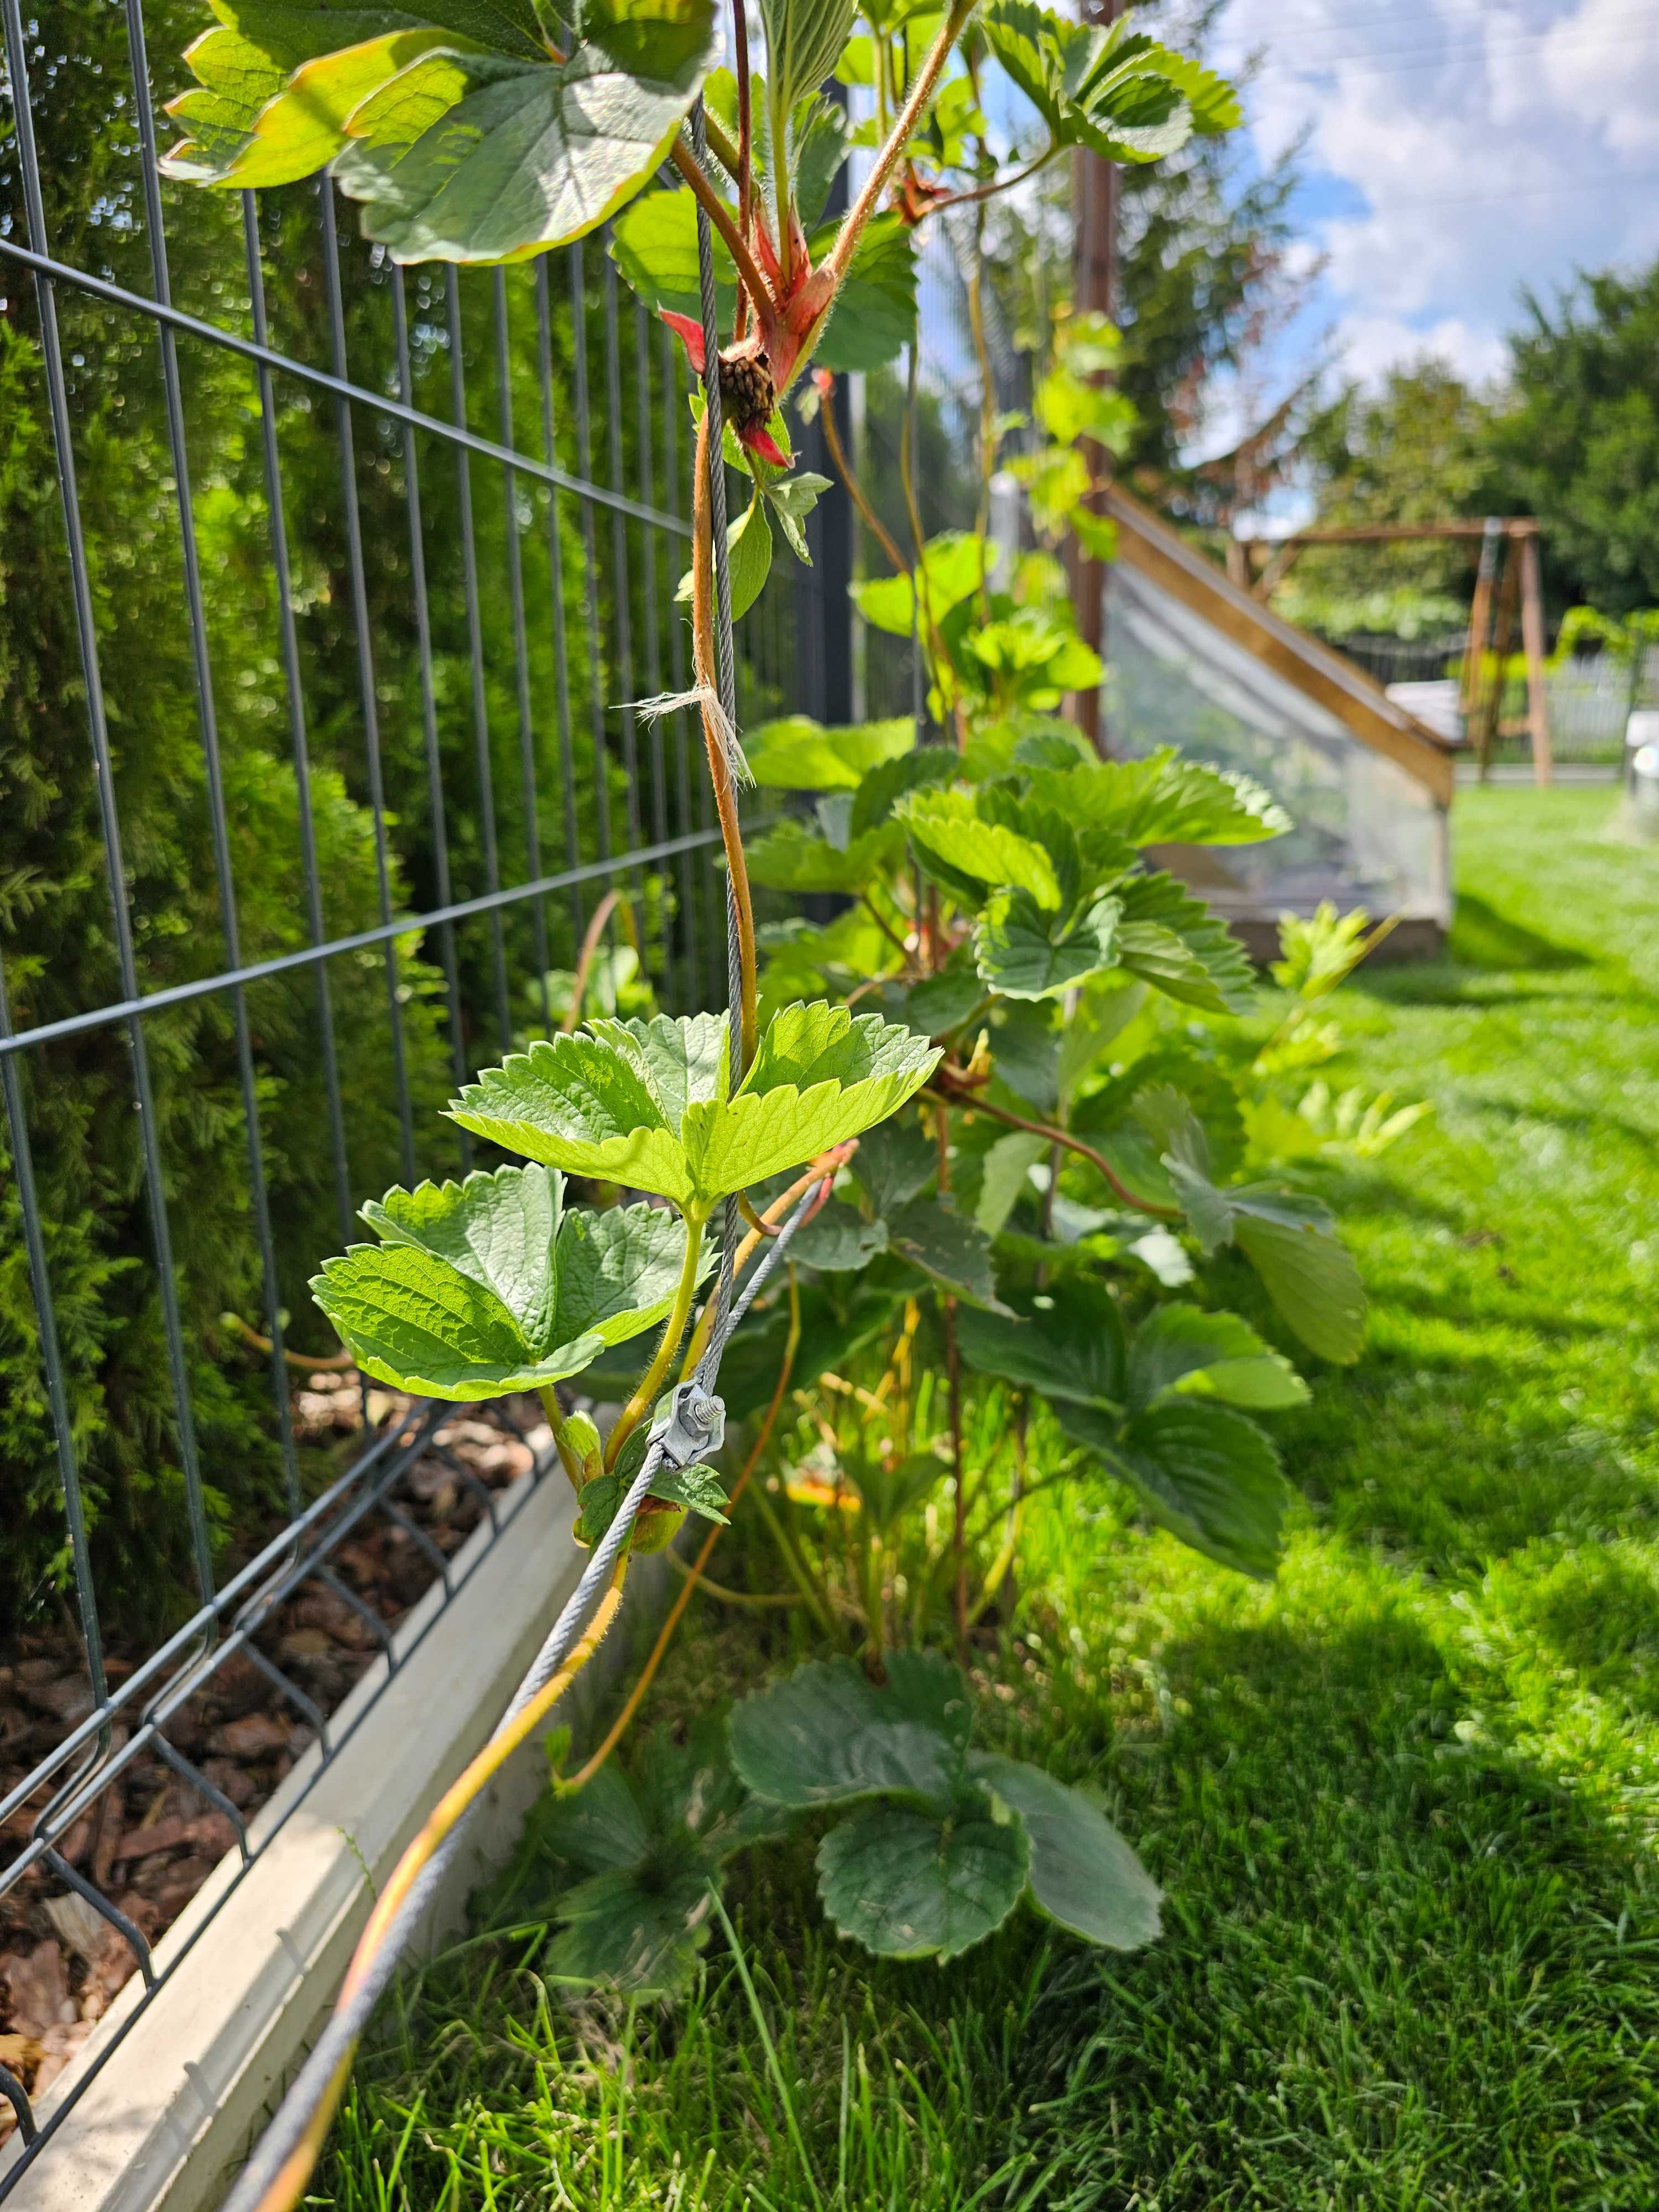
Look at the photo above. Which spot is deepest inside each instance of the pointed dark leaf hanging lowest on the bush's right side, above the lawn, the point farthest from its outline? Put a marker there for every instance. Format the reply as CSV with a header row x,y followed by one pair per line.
x,y
1207,1474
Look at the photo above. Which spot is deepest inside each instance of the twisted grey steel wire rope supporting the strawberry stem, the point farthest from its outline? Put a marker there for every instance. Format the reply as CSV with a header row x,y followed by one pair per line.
x,y
282,2160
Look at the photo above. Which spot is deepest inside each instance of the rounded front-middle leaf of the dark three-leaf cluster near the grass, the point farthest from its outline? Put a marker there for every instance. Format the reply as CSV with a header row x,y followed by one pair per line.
x,y
910,1884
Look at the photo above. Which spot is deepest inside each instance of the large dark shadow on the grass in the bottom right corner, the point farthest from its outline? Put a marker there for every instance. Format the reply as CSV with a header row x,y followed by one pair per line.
x,y
1392,1963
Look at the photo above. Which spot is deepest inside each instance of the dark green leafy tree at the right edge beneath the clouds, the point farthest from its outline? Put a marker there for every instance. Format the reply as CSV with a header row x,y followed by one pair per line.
x,y
1583,437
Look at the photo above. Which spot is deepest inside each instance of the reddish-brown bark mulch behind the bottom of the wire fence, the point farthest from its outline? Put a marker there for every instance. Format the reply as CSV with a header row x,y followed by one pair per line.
x,y
152,1839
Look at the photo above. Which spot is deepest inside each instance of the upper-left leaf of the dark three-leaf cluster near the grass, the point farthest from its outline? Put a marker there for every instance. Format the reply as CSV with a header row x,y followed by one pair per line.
x,y
828,1738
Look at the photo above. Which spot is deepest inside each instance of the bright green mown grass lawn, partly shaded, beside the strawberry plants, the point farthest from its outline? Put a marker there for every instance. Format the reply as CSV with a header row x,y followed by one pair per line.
x,y
1401,1802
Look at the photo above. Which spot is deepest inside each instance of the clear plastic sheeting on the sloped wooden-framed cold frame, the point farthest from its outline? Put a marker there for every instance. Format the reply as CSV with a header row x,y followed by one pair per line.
x,y
1368,835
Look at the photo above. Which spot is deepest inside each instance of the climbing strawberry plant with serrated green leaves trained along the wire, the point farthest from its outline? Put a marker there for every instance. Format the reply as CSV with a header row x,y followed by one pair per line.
x,y
990,1089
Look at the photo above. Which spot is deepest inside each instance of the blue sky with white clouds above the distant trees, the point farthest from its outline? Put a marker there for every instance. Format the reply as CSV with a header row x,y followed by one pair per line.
x,y
1457,152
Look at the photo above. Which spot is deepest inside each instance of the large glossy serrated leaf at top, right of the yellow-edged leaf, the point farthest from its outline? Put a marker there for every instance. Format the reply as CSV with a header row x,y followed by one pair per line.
x,y
483,156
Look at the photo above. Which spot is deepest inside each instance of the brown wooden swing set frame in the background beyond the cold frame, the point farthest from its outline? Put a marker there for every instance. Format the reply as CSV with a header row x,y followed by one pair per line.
x,y
1507,576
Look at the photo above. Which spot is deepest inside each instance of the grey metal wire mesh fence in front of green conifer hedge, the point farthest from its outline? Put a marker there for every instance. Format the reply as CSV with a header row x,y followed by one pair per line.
x,y
328,592
